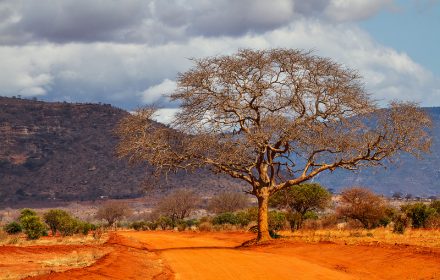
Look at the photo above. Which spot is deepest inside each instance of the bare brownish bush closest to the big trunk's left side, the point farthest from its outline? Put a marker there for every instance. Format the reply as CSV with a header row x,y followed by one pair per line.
x,y
228,202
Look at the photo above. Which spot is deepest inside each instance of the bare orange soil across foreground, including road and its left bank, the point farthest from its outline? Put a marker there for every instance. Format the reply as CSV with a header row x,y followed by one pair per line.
x,y
168,255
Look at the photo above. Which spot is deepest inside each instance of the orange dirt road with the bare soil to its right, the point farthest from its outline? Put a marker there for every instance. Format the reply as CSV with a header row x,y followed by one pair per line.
x,y
213,256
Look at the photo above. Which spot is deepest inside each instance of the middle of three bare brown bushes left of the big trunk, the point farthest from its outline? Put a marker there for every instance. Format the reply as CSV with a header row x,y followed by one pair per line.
x,y
178,205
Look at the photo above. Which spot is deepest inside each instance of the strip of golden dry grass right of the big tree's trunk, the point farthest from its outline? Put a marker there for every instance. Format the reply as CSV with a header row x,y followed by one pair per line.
x,y
415,237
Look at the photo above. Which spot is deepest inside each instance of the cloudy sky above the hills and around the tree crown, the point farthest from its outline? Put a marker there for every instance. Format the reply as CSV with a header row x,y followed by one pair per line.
x,y
129,52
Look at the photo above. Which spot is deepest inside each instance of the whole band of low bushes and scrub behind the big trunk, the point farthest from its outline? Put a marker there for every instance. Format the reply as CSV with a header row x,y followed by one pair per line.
x,y
304,208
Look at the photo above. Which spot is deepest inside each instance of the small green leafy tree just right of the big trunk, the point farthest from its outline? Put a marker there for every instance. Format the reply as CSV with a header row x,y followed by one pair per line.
x,y
301,199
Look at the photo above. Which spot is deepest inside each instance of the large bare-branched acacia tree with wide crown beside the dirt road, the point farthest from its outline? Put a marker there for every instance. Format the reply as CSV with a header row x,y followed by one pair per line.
x,y
273,119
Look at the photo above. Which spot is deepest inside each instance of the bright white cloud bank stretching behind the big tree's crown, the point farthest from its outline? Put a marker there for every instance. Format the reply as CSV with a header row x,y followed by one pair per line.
x,y
117,73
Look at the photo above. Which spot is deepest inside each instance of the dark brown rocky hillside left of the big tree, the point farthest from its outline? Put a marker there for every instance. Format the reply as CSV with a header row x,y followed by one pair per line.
x,y
63,151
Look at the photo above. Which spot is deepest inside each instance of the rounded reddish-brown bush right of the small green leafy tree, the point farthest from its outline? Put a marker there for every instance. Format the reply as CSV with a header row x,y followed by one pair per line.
x,y
362,205
